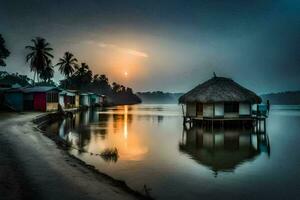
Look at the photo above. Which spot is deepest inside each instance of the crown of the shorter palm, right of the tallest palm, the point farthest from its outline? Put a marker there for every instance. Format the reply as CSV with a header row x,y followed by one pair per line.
x,y
67,64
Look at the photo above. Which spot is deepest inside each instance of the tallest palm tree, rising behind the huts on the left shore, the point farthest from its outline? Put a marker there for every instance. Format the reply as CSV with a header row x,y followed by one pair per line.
x,y
39,55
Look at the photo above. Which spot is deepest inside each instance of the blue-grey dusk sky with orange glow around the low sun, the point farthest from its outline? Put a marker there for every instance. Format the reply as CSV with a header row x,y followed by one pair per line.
x,y
164,45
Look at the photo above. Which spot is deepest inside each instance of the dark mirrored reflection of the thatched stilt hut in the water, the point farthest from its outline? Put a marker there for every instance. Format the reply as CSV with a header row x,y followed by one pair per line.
x,y
222,150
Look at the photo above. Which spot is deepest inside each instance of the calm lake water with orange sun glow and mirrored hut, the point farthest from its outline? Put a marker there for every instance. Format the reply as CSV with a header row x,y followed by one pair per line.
x,y
155,151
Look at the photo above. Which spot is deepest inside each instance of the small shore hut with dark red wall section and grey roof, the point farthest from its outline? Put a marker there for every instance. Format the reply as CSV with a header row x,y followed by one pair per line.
x,y
41,98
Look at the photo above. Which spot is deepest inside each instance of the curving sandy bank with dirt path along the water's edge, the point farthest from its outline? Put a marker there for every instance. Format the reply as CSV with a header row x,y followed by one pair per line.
x,y
32,167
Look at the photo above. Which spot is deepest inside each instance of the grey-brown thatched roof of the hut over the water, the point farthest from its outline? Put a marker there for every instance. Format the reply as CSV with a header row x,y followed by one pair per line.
x,y
219,89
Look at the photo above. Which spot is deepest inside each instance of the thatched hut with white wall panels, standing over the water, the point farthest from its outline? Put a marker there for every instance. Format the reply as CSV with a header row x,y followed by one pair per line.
x,y
219,98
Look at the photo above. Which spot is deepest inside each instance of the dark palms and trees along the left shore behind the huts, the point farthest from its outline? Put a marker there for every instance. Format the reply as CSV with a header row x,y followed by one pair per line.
x,y
78,76
